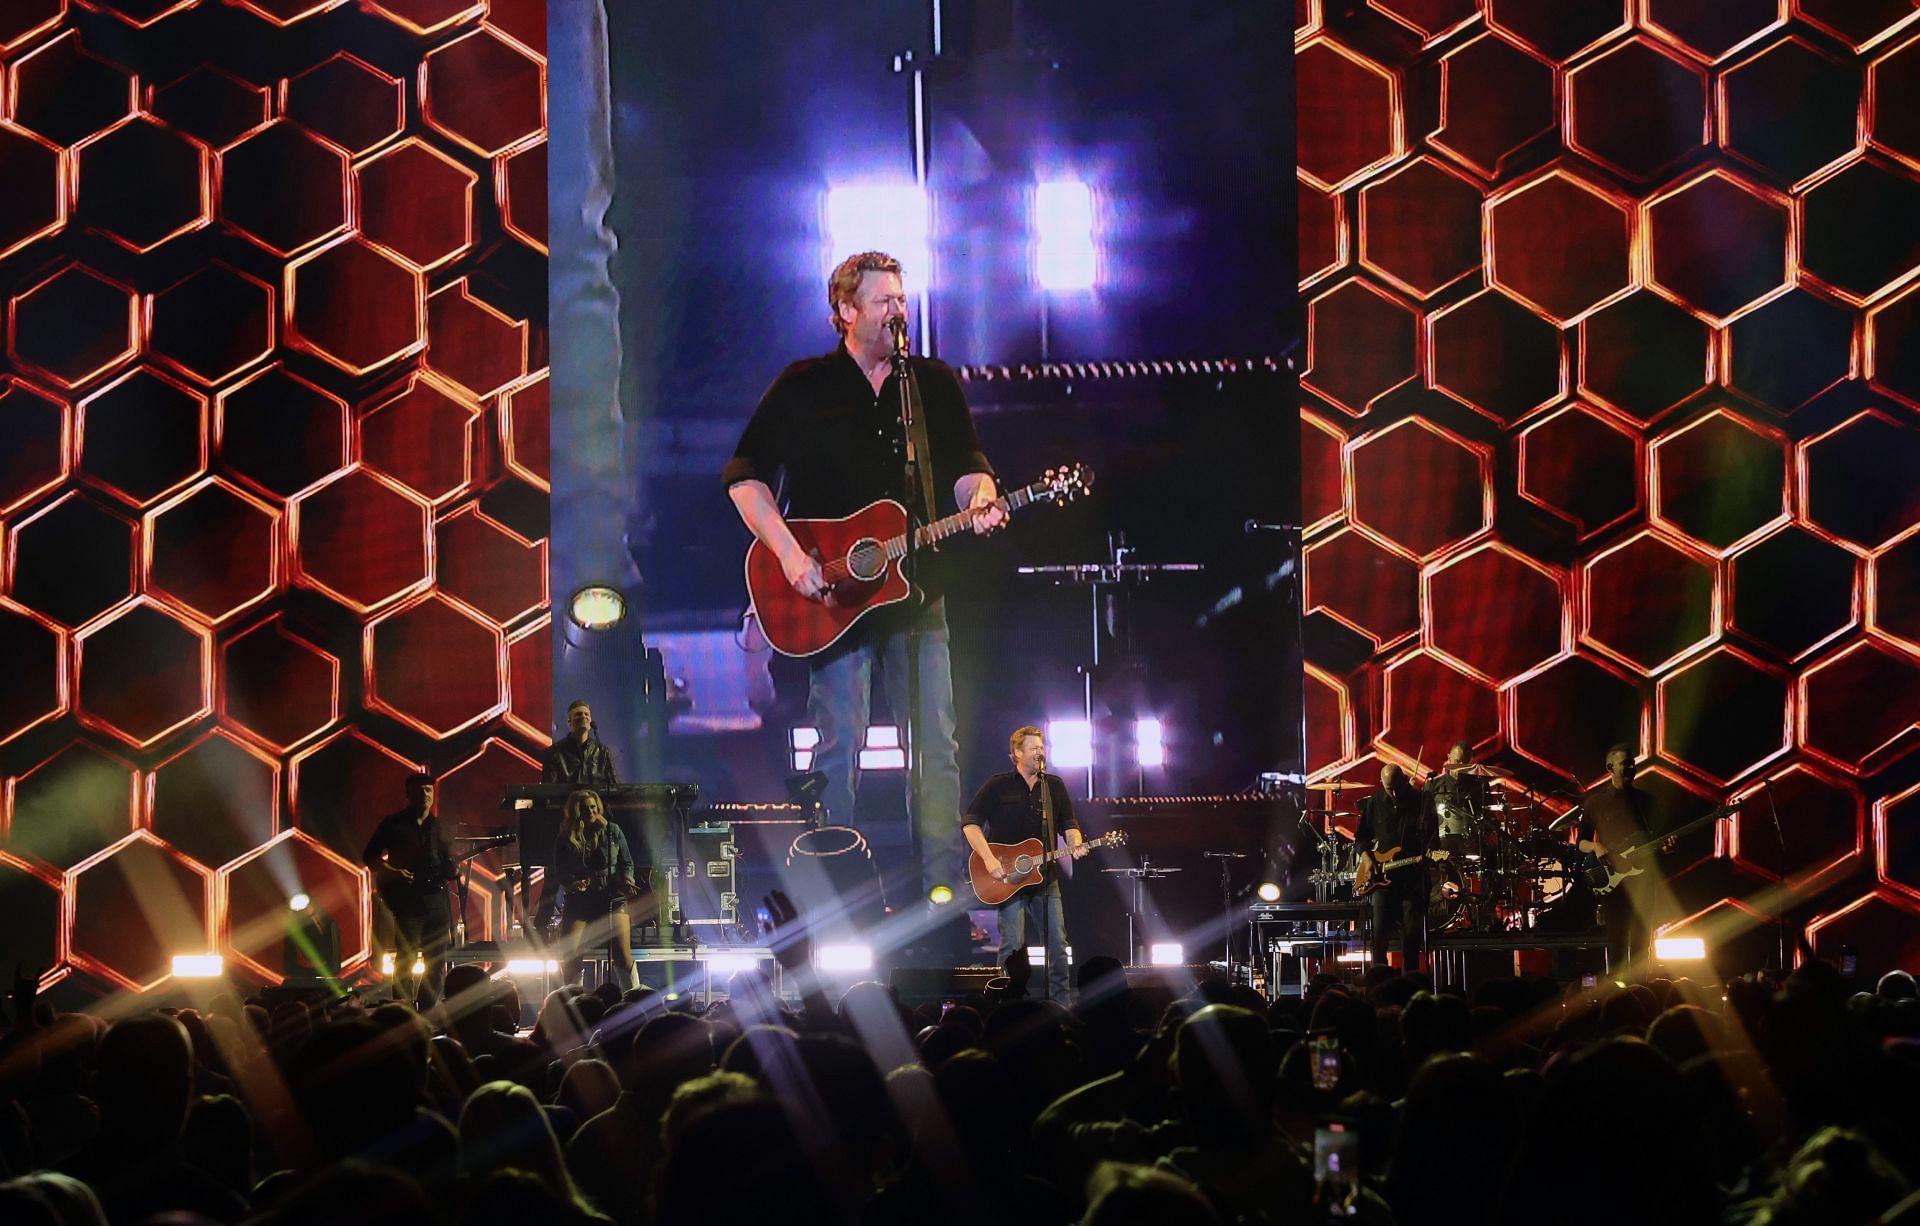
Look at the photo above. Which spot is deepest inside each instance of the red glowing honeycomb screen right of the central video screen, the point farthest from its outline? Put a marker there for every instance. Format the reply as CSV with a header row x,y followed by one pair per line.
x,y
1612,423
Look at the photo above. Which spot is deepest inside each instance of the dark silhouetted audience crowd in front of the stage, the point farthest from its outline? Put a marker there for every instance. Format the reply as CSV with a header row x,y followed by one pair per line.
x,y
1771,1100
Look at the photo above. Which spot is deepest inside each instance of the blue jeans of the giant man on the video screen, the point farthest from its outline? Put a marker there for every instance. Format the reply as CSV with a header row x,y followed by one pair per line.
x,y
840,694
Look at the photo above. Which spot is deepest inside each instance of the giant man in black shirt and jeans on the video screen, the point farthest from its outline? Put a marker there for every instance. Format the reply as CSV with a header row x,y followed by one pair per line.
x,y
830,427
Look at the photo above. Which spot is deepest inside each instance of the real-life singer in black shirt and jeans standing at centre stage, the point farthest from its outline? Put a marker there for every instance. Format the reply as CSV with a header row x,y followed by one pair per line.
x,y
1011,809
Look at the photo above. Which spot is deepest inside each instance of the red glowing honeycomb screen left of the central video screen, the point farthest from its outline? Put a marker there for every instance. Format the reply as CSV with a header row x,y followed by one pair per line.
x,y
274,279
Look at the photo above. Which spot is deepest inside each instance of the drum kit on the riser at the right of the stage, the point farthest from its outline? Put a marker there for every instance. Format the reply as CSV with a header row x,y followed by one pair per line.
x,y
1504,870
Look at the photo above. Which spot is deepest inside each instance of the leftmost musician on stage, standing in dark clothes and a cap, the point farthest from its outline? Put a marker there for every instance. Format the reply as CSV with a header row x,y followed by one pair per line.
x,y
412,864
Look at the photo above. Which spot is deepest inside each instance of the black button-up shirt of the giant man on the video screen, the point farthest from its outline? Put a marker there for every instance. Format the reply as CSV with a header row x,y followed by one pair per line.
x,y
842,448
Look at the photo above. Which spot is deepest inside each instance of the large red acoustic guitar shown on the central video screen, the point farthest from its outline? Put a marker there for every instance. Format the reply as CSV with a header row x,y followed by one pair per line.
x,y
861,561
